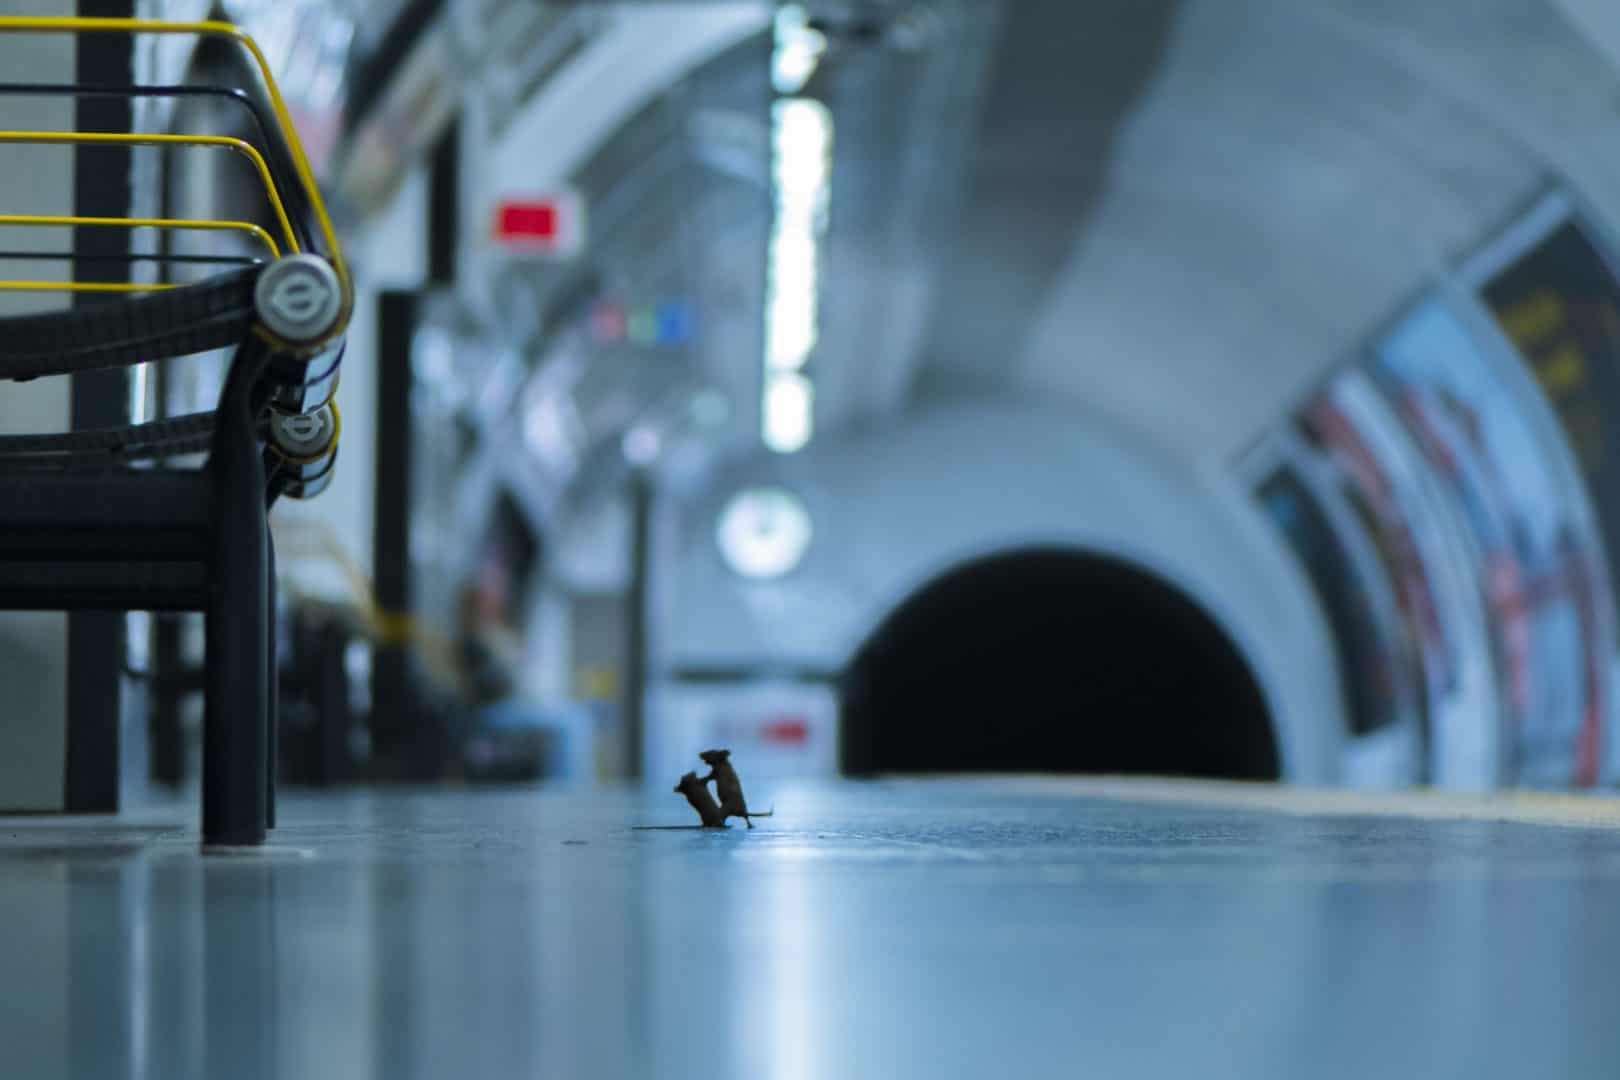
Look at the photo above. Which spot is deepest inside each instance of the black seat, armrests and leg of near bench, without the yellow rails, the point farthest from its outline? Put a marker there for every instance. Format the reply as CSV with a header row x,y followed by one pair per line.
x,y
83,532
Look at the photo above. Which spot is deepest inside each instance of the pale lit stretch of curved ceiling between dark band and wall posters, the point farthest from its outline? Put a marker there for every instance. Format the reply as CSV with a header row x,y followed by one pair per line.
x,y
1289,177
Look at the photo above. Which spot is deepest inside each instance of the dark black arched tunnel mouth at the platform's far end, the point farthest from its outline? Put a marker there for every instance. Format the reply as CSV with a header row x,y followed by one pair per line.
x,y
1054,661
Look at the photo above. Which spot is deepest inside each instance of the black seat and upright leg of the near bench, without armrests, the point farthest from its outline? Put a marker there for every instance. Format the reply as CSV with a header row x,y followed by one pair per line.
x,y
171,540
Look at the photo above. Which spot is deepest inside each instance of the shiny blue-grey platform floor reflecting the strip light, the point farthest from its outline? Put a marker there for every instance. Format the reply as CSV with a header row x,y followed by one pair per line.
x,y
987,929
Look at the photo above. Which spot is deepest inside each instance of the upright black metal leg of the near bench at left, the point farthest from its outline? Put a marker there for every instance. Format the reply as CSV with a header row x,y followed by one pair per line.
x,y
236,726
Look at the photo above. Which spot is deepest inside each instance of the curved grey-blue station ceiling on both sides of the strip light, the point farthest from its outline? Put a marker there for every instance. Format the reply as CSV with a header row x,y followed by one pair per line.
x,y
1177,211
